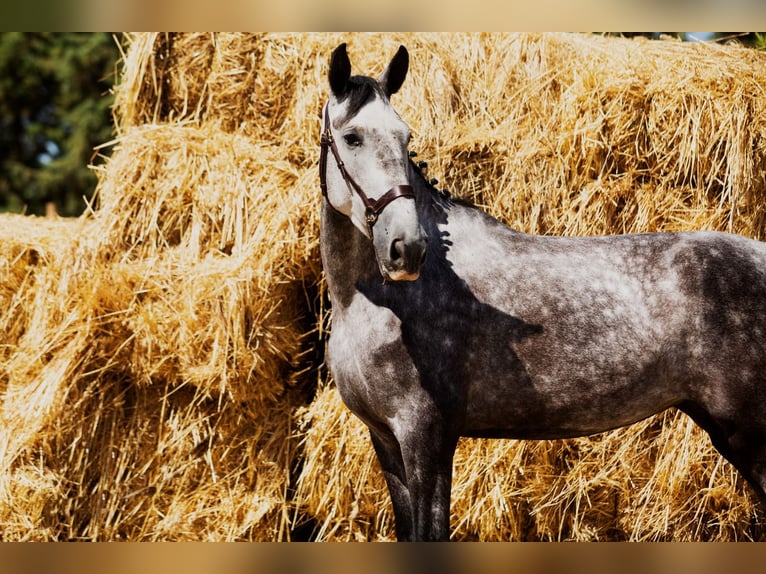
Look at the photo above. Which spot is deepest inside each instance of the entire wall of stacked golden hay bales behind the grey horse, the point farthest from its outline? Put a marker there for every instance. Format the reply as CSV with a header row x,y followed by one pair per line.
x,y
162,355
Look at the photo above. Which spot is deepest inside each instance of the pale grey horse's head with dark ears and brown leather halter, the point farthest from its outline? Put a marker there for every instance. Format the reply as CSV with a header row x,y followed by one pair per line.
x,y
369,141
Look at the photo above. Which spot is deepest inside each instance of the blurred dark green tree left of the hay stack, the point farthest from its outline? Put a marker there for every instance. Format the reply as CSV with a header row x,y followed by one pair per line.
x,y
55,107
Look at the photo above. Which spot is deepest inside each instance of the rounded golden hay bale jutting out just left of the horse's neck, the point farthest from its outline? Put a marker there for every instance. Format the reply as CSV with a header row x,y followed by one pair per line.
x,y
216,251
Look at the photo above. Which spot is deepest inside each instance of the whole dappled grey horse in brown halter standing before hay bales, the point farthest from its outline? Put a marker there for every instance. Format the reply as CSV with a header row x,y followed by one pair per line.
x,y
448,323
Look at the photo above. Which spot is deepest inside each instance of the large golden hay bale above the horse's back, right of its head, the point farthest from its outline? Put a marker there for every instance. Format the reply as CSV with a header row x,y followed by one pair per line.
x,y
576,134
